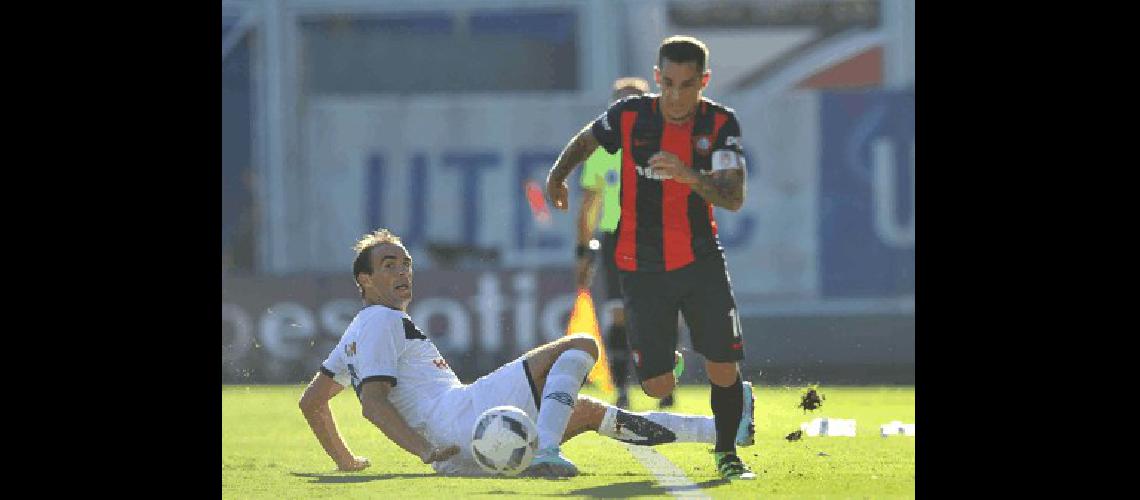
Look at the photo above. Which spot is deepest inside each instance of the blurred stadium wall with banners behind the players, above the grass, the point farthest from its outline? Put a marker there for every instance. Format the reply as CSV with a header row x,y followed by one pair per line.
x,y
341,117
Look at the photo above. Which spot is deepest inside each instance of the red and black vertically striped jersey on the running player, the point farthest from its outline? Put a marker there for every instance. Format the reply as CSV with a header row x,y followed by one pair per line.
x,y
664,224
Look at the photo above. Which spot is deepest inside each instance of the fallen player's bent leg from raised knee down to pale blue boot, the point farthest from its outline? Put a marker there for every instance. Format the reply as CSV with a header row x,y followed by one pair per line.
x,y
559,370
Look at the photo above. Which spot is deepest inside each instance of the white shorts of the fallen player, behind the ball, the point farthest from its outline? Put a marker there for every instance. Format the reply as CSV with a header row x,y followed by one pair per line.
x,y
455,421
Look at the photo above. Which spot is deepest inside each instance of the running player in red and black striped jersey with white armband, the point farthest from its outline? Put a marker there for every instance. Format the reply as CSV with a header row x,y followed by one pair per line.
x,y
681,155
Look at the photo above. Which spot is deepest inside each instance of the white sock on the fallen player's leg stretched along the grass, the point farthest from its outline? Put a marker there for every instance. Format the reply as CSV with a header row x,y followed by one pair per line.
x,y
650,429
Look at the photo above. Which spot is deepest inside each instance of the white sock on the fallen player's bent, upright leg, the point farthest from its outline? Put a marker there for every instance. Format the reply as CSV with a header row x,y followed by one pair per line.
x,y
560,395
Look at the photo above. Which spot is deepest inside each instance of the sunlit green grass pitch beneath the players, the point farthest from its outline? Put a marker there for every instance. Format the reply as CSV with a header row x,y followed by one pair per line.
x,y
270,453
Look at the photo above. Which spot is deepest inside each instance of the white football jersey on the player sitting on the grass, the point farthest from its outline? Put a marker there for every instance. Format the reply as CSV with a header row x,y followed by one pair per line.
x,y
384,343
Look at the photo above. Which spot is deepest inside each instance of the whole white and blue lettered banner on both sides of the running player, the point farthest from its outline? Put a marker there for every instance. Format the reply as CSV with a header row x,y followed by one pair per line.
x,y
829,212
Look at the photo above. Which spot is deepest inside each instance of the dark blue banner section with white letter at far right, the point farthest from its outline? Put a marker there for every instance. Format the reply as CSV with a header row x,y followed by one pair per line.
x,y
867,194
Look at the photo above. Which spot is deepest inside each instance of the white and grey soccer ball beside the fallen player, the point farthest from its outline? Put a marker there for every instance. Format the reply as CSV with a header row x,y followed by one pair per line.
x,y
504,441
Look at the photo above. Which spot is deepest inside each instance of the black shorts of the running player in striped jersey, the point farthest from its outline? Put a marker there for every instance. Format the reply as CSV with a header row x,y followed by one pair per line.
x,y
703,294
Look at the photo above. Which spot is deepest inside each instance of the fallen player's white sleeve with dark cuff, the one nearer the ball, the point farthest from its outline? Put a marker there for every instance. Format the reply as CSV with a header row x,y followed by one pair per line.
x,y
379,350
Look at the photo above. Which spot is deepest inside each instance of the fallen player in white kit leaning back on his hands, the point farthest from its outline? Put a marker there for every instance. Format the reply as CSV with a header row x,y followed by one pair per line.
x,y
409,391
